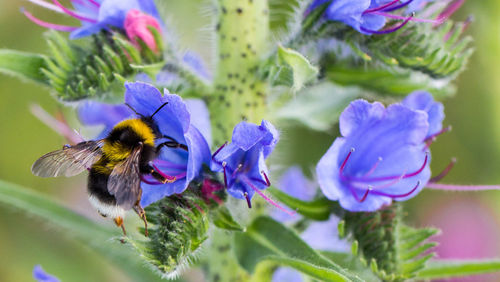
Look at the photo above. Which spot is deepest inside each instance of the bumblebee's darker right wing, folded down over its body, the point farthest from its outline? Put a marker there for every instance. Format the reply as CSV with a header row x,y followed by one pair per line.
x,y
125,180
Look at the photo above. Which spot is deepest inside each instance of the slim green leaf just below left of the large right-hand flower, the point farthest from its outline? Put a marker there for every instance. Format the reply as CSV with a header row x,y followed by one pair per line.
x,y
317,210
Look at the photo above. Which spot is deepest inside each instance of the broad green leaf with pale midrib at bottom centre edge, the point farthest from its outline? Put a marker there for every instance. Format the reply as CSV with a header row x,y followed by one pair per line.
x,y
269,240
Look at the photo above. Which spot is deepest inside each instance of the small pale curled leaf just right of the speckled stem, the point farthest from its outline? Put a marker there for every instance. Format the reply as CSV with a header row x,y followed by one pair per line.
x,y
302,70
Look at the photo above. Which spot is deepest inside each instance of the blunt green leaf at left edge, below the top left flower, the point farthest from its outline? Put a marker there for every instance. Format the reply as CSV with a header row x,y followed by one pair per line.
x,y
23,65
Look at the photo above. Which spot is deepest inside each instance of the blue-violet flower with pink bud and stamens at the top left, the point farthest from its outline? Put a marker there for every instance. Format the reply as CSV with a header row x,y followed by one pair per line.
x,y
96,15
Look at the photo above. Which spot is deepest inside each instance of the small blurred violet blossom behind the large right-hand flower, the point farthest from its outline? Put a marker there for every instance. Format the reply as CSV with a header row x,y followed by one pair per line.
x,y
423,101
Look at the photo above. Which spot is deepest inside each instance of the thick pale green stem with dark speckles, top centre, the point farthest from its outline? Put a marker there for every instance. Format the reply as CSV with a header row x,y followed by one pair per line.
x,y
242,41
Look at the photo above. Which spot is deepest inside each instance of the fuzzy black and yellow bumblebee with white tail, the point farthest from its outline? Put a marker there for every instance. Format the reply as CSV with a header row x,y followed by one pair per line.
x,y
116,165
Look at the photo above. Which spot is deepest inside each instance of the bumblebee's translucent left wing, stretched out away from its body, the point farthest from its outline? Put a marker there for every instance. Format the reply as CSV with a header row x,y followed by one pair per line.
x,y
69,161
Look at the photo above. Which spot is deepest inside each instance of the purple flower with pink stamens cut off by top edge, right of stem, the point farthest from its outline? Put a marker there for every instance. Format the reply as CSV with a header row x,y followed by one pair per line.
x,y
366,16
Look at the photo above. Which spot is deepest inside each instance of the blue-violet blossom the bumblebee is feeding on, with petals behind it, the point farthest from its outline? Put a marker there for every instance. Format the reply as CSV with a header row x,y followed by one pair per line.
x,y
174,120
